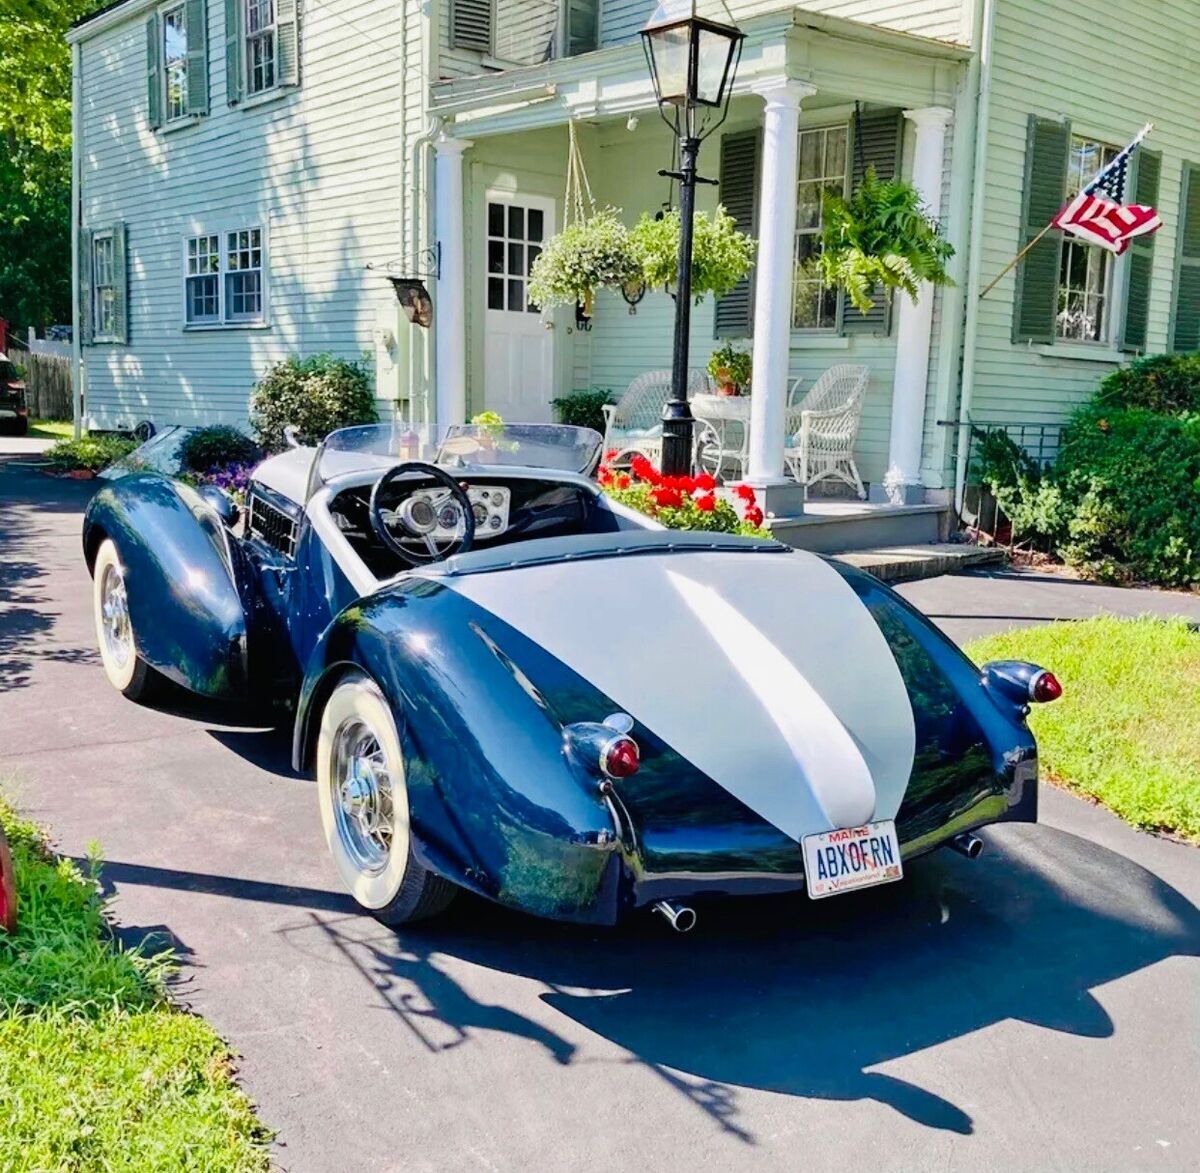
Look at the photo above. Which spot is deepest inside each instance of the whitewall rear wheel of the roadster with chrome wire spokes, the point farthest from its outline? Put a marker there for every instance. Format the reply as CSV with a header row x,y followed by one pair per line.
x,y
364,808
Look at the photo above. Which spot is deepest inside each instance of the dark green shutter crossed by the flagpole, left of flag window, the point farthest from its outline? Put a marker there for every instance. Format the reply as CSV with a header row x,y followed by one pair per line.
x,y
1036,304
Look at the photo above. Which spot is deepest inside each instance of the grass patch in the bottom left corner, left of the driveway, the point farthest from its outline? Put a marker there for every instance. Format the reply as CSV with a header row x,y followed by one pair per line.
x,y
98,1069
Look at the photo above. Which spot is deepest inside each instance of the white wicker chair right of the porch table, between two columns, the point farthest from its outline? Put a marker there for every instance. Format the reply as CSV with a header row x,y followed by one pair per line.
x,y
824,426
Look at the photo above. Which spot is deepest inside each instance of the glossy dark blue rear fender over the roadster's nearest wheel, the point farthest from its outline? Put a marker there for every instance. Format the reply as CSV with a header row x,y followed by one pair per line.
x,y
495,804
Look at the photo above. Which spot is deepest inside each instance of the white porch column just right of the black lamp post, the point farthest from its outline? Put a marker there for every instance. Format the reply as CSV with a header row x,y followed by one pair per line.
x,y
773,297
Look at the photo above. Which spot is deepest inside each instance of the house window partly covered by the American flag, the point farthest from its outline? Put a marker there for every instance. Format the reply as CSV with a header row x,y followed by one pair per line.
x,y
1085,276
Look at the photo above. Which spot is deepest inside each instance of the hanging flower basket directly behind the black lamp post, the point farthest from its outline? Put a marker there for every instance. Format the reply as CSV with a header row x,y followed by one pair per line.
x,y
722,256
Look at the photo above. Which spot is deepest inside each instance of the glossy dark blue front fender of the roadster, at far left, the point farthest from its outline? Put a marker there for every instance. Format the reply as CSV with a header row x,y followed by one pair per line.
x,y
185,580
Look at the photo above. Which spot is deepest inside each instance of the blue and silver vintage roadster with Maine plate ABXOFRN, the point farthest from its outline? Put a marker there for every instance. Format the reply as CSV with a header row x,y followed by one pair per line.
x,y
507,682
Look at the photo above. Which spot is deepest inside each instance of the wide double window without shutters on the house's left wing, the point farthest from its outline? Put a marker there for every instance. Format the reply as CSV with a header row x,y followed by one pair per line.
x,y
225,288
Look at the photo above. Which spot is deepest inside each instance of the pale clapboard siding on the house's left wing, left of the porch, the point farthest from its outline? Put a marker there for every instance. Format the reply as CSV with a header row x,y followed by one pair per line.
x,y
320,169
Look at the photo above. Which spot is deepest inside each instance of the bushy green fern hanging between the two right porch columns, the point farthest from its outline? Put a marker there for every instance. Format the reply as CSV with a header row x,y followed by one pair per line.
x,y
883,239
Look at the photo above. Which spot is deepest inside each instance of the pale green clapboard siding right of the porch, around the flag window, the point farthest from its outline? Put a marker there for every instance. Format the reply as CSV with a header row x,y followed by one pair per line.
x,y
1108,77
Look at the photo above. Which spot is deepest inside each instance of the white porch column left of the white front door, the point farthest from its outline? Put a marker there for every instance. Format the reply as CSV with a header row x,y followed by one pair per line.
x,y
451,309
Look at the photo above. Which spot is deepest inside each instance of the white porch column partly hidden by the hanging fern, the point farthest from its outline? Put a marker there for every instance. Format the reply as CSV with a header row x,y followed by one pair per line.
x,y
915,324
